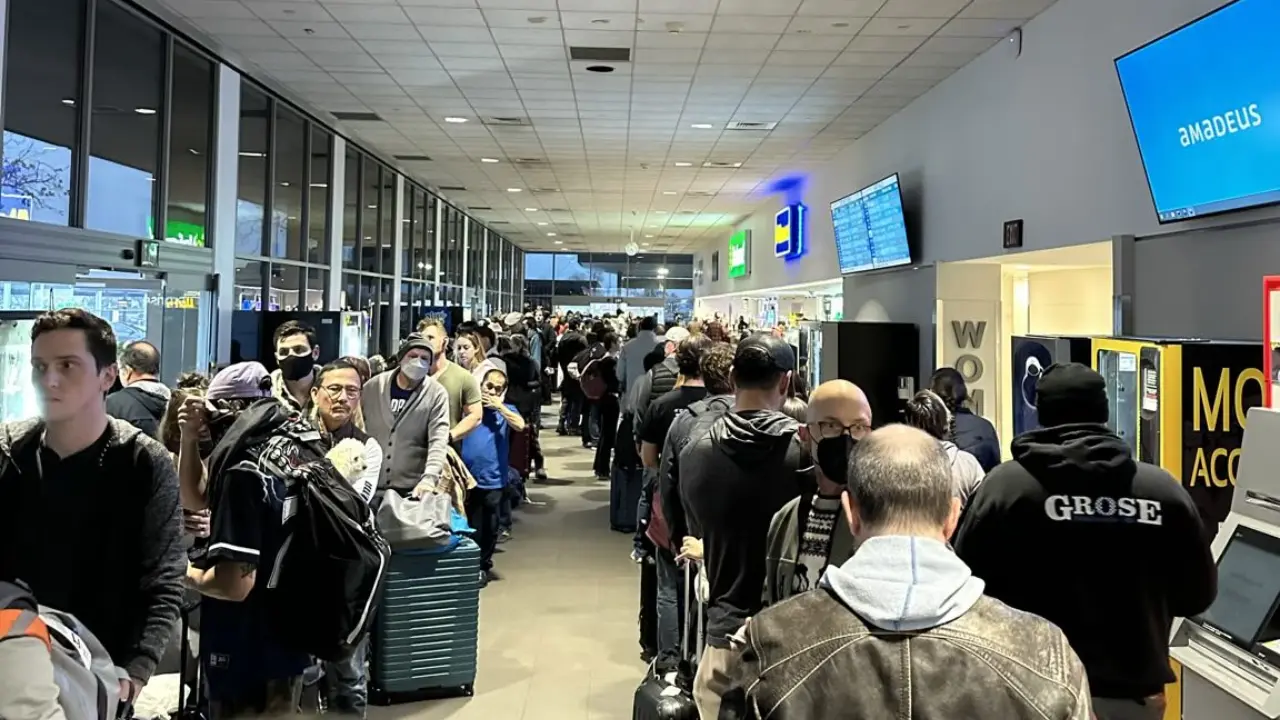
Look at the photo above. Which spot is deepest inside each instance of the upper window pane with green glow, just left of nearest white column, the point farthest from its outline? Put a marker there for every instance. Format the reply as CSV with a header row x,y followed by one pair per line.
x,y
190,145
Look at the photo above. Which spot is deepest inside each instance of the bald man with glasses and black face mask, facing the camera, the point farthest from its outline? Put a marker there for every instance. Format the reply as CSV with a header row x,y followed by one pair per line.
x,y
810,532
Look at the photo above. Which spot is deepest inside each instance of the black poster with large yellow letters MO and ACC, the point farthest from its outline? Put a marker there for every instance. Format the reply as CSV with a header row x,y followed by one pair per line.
x,y
1220,384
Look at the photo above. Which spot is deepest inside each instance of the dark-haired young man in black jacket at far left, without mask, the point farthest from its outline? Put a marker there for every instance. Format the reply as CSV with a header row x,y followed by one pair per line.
x,y
90,516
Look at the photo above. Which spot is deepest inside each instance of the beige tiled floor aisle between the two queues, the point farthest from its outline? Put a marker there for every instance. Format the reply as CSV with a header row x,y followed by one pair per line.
x,y
559,632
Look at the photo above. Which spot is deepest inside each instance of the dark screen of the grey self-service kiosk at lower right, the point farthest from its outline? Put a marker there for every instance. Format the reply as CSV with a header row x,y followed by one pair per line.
x,y
1249,586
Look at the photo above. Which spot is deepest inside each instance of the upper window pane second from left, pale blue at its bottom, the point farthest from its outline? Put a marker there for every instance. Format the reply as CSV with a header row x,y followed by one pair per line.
x,y
125,138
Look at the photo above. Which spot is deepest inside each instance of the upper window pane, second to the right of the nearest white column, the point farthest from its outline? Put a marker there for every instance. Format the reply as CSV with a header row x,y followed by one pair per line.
x,y
291,183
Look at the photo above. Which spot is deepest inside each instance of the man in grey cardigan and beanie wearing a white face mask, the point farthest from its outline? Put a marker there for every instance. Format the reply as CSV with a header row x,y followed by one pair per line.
x,y
408,413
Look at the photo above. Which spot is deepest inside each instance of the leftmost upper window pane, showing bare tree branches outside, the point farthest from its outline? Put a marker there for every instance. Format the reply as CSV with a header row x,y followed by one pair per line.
x,y
43,98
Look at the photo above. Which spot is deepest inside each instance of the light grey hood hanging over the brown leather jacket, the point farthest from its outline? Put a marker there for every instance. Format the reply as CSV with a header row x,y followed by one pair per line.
x,y
906,584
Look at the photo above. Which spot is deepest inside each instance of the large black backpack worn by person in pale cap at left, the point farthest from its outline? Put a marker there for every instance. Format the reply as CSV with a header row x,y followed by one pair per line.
x,y
328,577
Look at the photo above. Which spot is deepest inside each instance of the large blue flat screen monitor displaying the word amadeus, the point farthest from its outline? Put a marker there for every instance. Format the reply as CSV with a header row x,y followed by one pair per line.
x,y
1205,107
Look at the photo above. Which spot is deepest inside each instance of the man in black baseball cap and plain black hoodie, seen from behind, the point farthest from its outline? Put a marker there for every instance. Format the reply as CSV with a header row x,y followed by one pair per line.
x,y
734,479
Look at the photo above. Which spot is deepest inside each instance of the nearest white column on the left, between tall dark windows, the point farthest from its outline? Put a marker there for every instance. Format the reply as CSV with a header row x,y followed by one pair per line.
x,y
223,213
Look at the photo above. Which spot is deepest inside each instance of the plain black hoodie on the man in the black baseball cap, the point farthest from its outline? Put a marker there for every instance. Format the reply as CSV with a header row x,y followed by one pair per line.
x,y
734,479
